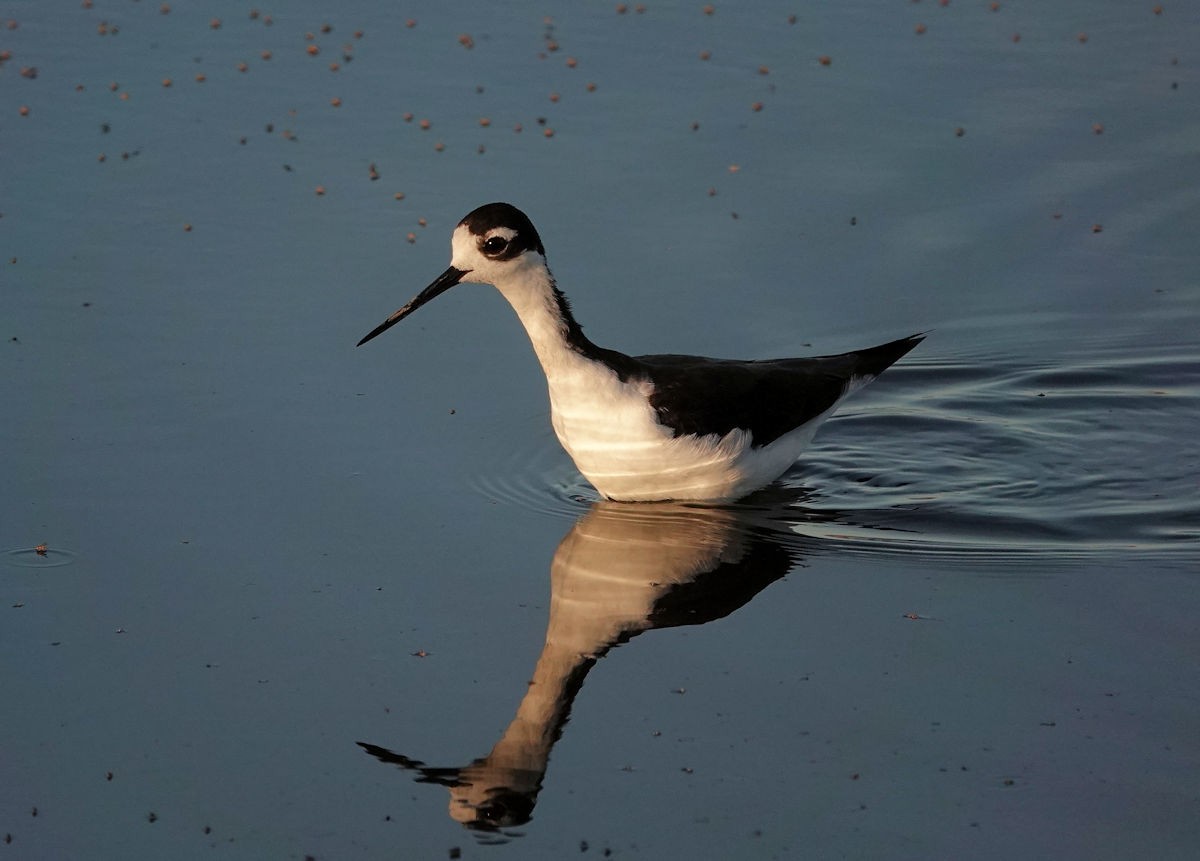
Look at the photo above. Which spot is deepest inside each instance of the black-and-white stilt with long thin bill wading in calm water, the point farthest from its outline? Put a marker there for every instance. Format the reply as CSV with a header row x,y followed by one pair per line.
x,y
658,428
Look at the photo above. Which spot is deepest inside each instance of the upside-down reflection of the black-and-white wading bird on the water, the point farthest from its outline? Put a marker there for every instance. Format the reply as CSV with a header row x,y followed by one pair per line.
x,y
622,570
